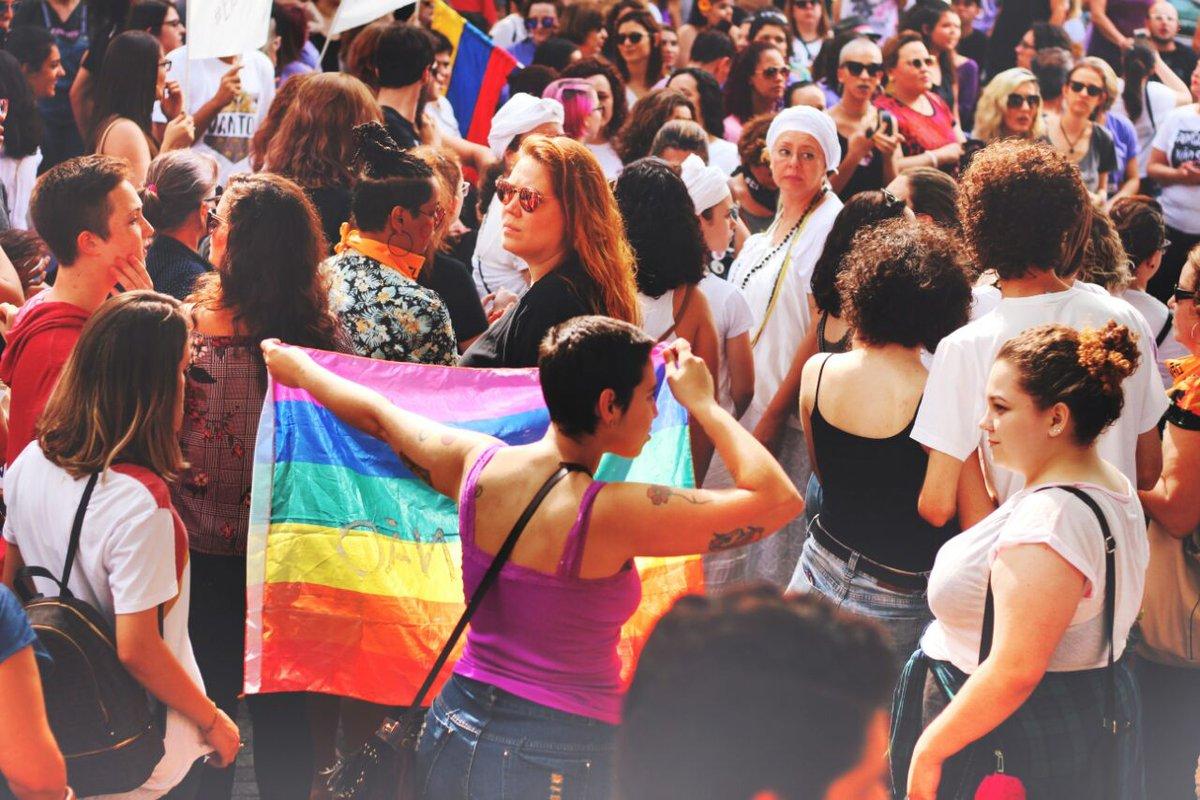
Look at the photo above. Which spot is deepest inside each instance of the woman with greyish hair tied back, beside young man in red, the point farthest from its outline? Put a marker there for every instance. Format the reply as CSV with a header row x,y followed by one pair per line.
x,y
182,189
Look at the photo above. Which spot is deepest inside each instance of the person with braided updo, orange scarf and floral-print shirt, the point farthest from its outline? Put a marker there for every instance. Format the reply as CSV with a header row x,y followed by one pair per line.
x,y
386,312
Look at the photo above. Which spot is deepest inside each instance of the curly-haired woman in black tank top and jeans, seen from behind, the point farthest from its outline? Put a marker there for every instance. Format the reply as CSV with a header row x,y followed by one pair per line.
x,y
868,549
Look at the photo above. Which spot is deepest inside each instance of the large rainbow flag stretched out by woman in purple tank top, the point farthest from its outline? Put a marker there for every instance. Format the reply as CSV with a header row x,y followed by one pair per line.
x,y
355,575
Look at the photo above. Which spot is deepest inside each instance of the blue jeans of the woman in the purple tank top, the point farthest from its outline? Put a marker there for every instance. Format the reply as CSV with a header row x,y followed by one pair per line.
x,y
483,743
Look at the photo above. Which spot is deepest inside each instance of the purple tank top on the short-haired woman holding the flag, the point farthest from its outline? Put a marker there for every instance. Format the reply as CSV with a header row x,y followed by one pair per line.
x,y
548,639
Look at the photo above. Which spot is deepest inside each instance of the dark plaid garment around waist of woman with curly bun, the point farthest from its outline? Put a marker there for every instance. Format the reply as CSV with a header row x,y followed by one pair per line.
x,y
1055,743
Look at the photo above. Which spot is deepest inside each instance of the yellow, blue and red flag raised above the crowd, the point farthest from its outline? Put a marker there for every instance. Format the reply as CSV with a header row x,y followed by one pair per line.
x,y
478,73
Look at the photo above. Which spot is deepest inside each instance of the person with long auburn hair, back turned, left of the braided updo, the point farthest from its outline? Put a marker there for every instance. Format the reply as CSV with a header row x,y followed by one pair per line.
x,y
315,143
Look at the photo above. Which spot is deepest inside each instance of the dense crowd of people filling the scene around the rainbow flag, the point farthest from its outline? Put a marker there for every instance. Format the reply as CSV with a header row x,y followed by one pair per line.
x,y
925,276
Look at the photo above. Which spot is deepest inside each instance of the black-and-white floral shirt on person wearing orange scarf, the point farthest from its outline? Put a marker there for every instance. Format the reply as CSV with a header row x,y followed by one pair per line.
x,y
389,317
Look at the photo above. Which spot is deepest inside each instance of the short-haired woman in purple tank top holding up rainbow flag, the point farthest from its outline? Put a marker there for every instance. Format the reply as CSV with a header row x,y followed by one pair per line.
x,y
533,707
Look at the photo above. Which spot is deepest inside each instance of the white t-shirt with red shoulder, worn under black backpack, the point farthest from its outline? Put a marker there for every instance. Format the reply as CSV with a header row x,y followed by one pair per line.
x,y
133,557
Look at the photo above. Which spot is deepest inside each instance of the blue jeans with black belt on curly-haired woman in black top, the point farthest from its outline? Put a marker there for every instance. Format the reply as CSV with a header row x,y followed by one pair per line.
x,y
903,615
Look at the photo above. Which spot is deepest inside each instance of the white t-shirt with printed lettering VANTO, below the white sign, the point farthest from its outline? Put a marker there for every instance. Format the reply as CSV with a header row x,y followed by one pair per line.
x,y
229,136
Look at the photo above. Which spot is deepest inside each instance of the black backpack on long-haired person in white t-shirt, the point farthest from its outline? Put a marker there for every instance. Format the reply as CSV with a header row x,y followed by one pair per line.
x,y
109,729
